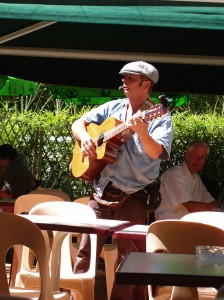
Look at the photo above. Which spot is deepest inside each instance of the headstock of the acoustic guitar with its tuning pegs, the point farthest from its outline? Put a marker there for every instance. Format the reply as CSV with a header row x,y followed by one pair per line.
x,y
157,110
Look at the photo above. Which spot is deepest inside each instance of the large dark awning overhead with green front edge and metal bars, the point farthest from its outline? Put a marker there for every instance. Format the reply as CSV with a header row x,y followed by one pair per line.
x,y
86,45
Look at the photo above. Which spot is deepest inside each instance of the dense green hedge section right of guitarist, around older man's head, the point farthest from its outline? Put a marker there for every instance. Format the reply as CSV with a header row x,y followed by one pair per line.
x,y
207,127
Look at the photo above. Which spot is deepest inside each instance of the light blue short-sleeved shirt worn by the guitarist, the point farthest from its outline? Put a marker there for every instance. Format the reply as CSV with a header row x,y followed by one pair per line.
x,y
133,169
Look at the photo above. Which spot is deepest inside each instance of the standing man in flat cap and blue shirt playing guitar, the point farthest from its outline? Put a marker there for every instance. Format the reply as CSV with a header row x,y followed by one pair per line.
x,y
121,190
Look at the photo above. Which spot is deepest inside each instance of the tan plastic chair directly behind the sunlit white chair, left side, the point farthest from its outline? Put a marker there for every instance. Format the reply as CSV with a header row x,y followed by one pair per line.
x,y
24,204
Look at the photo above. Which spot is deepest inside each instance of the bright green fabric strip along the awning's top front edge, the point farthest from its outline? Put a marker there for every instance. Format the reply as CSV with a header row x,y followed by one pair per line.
x,y
178,16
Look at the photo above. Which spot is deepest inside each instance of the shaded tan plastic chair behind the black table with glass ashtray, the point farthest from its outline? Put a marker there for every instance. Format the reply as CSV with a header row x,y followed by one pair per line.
x,y
181,237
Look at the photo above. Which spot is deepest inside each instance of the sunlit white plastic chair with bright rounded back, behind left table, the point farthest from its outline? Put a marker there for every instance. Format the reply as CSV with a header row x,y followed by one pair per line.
x,y
83,283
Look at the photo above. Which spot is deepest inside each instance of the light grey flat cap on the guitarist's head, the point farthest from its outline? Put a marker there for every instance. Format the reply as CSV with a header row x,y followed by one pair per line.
x,y
141,68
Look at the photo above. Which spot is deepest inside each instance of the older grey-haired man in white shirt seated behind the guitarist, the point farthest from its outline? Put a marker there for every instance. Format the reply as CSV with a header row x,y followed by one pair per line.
x,y
181,188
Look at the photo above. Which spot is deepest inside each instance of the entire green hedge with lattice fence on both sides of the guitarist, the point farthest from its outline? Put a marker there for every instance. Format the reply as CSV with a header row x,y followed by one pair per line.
x,y
202,118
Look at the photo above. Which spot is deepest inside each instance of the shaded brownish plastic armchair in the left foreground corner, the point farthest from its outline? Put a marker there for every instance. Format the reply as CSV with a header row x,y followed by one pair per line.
x,y
16,230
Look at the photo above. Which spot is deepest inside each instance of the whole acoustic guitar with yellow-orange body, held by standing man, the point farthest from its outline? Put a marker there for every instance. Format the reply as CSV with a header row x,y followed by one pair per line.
x,y
108,137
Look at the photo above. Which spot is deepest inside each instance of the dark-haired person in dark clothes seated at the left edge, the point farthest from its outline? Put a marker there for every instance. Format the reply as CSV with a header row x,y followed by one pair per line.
x,y
15,176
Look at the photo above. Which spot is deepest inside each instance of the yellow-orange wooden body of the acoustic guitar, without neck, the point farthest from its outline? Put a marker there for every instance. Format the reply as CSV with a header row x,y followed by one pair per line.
x,y
89,168
